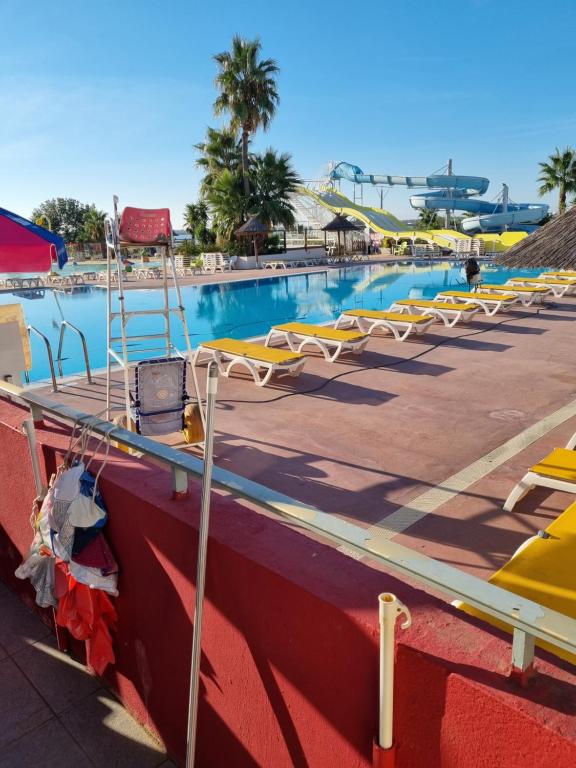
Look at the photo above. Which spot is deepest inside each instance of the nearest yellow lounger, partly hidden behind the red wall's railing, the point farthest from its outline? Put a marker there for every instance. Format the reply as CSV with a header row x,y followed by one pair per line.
x,y
542,570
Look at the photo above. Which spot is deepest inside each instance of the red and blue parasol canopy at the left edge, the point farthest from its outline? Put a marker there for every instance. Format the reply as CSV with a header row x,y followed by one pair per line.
x,y
26,247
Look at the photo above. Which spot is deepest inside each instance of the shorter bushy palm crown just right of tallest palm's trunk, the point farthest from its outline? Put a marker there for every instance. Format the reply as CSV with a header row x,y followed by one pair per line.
x,y
274,180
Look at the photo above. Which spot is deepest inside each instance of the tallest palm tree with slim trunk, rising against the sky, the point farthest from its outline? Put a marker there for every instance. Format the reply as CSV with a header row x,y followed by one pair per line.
x,y
247,92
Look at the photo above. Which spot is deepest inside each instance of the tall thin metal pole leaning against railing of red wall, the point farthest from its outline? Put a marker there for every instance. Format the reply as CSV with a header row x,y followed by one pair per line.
x,y
211,387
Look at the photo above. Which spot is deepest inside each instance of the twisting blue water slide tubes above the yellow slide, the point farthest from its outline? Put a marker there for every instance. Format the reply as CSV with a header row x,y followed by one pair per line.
x,y
453,193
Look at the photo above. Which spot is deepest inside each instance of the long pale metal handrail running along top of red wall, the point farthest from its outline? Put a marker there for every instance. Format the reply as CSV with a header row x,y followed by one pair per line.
x,y
528,619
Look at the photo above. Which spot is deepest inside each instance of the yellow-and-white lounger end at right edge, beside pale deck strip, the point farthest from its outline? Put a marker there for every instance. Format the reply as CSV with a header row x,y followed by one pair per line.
x,y
557,471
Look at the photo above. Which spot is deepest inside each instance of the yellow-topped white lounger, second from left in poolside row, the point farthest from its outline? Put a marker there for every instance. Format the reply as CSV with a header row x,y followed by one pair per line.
x,y
298,335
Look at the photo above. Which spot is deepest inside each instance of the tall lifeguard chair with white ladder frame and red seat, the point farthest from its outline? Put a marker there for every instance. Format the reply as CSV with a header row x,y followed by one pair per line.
x,y
141,228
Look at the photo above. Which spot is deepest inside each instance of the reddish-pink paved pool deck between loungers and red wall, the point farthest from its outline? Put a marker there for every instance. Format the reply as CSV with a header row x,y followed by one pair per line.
x,y
364,438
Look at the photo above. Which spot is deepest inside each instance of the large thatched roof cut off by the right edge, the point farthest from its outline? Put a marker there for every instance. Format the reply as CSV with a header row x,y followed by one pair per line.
x,y
553,245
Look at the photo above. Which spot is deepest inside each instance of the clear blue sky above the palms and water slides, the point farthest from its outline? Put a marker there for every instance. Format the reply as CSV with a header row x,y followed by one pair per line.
x,y
105,98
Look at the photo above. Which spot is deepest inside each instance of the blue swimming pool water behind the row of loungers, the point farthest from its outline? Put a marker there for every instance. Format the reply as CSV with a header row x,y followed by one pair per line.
x,y
239,309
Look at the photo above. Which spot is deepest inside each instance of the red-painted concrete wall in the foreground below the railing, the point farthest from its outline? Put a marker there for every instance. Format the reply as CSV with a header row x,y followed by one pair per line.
x,y
290,662
